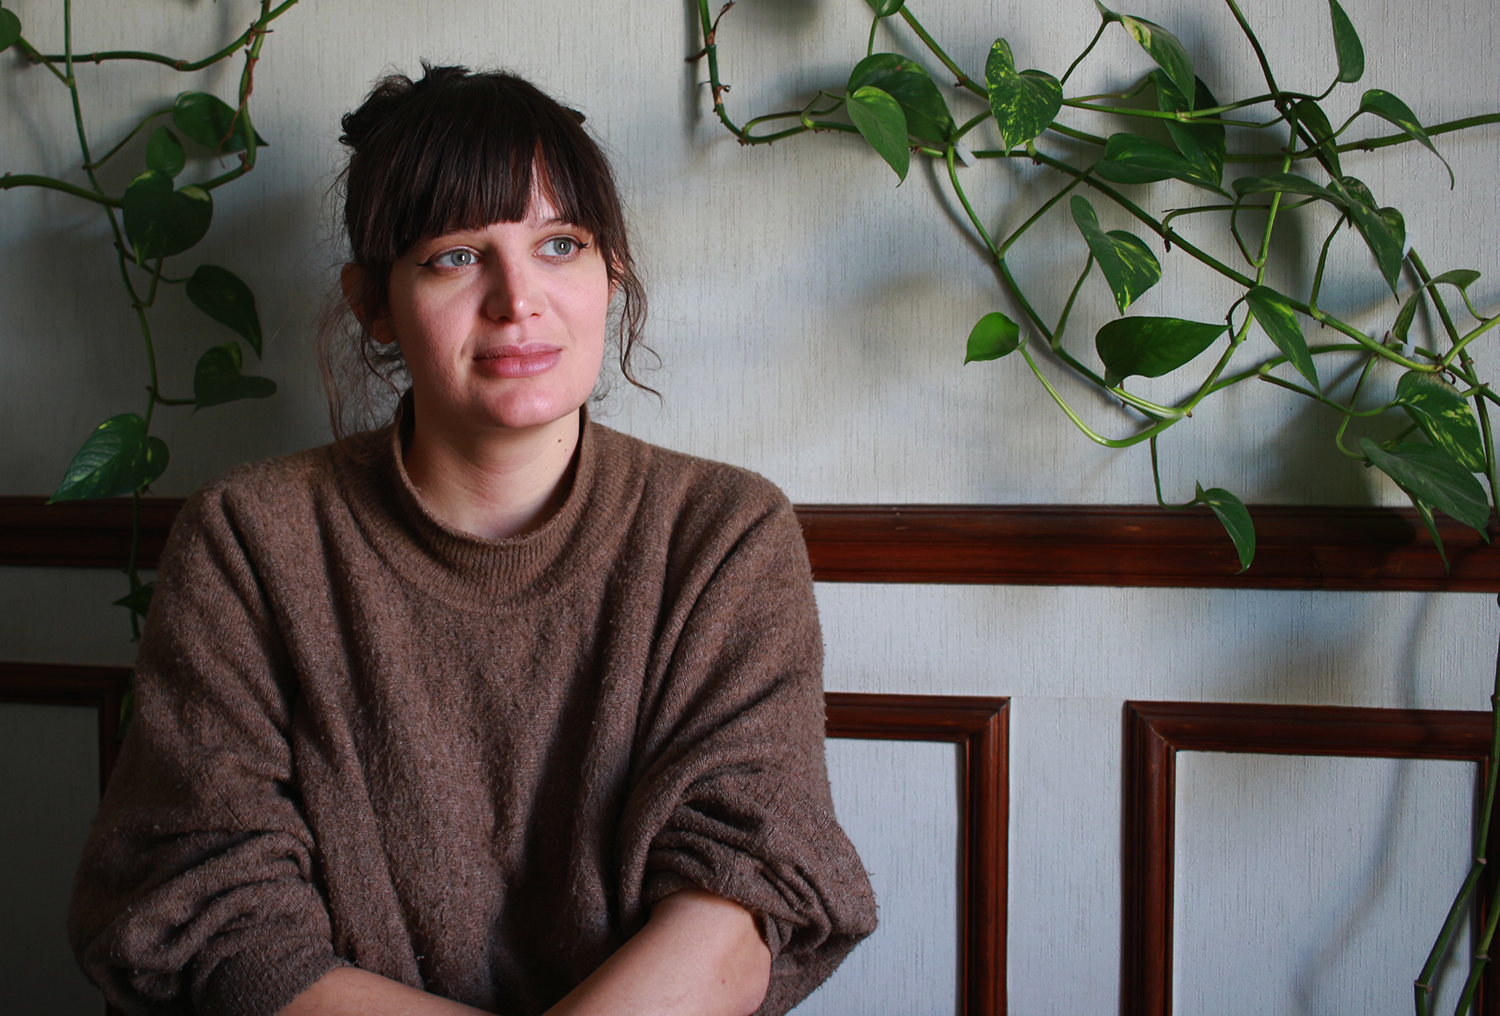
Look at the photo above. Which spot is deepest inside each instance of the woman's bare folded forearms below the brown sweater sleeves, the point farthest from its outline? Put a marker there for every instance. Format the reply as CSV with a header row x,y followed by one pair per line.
x,y
700,955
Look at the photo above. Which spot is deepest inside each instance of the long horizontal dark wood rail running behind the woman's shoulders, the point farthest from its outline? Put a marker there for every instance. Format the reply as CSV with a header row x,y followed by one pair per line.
x,y
1300,549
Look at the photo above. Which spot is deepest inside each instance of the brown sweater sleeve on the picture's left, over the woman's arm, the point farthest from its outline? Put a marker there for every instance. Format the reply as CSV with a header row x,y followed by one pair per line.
x,y
196,891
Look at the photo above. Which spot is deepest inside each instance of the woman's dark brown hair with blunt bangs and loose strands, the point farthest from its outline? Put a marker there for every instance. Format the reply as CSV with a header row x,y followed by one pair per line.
x,y
460,151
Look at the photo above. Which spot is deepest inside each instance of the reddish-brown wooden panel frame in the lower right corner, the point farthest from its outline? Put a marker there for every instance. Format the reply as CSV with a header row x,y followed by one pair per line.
x,y
1157,732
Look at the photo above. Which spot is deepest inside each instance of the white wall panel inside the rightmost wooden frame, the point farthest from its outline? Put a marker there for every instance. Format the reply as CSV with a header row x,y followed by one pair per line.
x,y
1310,886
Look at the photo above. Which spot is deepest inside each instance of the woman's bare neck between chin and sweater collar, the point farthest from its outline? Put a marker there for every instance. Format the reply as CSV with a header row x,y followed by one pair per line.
x,y
499,484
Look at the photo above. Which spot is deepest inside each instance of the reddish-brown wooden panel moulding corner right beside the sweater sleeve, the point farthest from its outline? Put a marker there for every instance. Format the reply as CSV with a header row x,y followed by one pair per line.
x,y
982,730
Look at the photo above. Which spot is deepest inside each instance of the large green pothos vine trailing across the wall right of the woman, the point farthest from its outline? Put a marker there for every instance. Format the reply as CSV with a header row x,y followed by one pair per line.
x,y
892,101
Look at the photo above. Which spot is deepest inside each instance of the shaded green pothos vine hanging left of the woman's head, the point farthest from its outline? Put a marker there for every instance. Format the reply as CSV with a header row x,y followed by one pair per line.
x,y
157,220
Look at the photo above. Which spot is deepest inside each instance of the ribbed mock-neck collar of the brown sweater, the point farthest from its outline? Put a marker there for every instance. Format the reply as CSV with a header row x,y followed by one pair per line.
x,y
473,573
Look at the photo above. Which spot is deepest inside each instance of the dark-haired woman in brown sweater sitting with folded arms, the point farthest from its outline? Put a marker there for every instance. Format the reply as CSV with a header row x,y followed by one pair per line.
x,y
493,709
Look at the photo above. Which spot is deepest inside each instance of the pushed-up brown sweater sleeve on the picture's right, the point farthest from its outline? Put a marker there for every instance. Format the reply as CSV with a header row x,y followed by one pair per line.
x,y
733,787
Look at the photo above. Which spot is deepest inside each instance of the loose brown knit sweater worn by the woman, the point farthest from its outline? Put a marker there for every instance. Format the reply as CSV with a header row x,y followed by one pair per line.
x,y
469,766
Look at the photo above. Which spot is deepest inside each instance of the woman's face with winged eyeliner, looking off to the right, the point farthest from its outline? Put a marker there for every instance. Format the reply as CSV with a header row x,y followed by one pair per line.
x,y
502,326
